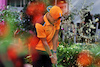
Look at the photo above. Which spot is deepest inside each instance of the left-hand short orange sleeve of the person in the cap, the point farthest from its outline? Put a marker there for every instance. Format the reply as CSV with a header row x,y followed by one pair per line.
x,y
40,31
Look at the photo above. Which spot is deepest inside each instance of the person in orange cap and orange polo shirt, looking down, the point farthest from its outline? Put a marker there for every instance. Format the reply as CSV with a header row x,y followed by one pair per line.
x,y
48,35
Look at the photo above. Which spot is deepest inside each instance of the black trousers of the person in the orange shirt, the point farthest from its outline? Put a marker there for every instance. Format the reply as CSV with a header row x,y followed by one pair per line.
x,y
43,60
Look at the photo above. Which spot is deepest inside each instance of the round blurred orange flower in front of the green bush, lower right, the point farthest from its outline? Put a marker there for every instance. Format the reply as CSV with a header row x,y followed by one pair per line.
x,y
84,59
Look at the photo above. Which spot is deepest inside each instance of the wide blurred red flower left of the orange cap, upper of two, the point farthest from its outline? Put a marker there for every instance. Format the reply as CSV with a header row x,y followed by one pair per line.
x,y
35,8
